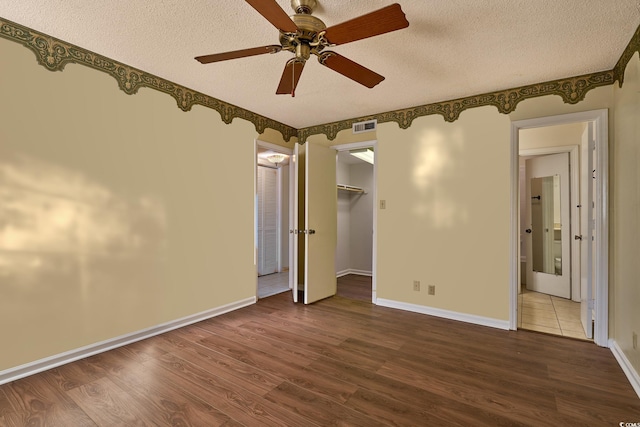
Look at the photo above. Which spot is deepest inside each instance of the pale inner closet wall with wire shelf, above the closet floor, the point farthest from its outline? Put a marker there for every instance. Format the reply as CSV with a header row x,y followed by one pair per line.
x,y
355,219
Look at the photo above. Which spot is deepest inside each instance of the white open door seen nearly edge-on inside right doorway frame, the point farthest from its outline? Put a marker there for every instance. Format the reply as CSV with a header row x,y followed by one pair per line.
x,y
587,226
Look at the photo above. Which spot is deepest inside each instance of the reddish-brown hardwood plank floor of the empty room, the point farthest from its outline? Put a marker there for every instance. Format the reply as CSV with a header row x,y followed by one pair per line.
x,y
341,361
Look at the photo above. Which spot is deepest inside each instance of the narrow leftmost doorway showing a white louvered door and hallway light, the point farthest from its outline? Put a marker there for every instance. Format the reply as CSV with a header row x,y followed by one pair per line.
x,y
272,212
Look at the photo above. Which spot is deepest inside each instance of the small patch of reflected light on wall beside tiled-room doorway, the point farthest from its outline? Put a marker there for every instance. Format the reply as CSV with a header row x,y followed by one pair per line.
x,y
436,168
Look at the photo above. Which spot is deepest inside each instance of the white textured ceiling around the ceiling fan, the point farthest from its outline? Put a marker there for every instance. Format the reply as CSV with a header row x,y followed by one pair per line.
x,y
451,49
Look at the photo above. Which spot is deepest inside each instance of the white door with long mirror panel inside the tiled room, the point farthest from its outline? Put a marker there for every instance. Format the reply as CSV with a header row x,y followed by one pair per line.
x,y
548,232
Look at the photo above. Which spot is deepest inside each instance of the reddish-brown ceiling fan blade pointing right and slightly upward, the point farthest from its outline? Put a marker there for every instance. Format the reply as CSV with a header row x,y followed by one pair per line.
x,y
385,20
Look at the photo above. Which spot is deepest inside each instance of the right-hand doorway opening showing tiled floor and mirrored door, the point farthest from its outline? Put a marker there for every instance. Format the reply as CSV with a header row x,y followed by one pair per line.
x,y
549,299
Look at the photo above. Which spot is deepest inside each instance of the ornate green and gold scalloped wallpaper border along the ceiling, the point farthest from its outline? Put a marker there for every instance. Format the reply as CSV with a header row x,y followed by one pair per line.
x,y
54,54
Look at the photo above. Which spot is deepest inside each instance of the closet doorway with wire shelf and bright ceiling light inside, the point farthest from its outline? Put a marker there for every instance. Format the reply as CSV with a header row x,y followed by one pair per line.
x,y
356,249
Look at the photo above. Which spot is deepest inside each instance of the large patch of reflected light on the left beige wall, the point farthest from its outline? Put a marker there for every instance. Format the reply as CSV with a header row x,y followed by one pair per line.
x,y
58,227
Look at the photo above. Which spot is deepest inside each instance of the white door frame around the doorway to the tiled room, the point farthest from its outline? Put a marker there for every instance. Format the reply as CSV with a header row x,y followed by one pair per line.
x,y
601,198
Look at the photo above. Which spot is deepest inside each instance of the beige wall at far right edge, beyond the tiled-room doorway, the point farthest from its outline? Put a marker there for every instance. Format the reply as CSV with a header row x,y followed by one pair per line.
x,y
625,213
